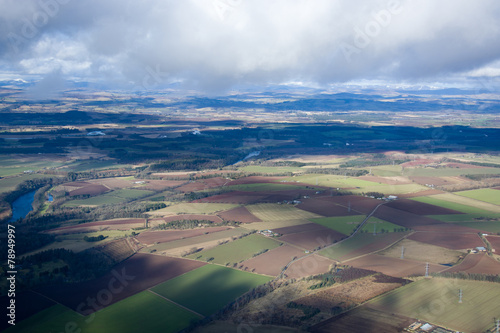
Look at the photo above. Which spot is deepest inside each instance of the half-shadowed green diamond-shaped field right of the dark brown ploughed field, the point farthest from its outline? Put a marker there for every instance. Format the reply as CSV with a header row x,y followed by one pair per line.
x,y
209,288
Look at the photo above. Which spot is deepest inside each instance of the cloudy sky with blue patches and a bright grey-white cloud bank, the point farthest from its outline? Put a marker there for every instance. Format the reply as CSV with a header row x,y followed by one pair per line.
x,y
215,45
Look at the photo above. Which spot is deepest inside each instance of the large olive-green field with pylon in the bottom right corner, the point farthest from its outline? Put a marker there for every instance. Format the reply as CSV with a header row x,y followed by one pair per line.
x,y
436,300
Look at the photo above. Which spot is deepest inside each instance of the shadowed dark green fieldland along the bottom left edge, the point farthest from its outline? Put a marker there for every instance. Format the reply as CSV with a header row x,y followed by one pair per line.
x,y
143,312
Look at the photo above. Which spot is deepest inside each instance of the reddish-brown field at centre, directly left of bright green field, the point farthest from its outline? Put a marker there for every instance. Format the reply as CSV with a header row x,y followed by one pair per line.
x,y
310,240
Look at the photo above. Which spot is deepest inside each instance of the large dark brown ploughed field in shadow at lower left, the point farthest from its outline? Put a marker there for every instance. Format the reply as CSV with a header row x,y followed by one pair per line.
x,y
138,273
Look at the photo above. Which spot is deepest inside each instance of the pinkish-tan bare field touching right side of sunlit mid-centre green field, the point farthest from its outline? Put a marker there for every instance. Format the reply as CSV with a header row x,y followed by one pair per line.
x,y
273,261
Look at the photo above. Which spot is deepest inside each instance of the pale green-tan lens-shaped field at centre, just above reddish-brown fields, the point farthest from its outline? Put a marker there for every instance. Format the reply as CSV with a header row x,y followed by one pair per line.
x,y
276,212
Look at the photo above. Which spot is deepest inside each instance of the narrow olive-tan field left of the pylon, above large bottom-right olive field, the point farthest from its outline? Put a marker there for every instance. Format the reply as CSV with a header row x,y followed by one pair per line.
x,y
393,266
